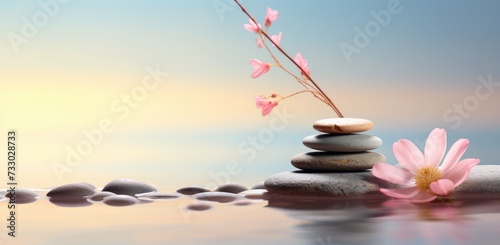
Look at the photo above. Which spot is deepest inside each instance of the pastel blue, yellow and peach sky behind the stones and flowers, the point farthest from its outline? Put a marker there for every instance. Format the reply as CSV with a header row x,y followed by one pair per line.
x,y
197,126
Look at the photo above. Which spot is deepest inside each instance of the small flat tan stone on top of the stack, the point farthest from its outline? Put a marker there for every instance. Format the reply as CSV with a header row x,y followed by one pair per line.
x,y
343,125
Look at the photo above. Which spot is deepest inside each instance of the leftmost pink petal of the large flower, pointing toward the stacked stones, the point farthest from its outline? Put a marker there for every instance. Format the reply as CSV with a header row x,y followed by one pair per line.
x,y
392,174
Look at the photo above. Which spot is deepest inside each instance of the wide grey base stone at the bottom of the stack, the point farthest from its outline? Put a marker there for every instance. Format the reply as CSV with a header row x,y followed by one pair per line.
x,y
302,183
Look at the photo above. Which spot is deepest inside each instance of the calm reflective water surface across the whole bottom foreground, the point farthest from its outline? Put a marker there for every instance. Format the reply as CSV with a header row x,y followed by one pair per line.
x,y
275,220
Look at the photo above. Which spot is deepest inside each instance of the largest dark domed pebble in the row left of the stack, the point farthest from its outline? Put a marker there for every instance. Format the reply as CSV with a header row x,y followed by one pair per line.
x,y
128,187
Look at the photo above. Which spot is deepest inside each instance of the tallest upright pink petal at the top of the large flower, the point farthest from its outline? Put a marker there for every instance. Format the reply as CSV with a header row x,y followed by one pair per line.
x,y
435,147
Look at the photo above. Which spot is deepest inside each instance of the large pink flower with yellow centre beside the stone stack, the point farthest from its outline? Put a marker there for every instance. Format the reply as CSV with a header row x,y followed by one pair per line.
x,y
423,175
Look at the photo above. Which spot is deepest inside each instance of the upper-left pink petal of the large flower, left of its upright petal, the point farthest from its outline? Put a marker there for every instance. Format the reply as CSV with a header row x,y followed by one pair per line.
x,y
408,155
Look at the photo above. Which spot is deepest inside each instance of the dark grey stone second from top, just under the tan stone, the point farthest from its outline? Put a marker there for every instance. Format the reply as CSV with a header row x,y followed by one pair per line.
x,y
342,142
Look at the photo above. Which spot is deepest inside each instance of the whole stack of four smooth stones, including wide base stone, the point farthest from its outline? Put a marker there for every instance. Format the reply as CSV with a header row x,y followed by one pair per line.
x,y
338,165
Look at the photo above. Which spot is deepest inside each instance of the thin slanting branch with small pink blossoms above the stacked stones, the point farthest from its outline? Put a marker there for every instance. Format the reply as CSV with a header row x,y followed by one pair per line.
x,y
254,26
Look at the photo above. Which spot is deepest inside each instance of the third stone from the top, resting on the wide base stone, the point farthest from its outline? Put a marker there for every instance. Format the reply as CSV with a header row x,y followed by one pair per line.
x,y
329,161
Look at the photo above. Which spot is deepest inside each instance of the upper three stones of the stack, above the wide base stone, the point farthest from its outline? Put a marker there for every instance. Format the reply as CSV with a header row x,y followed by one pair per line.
x,y
340,147
